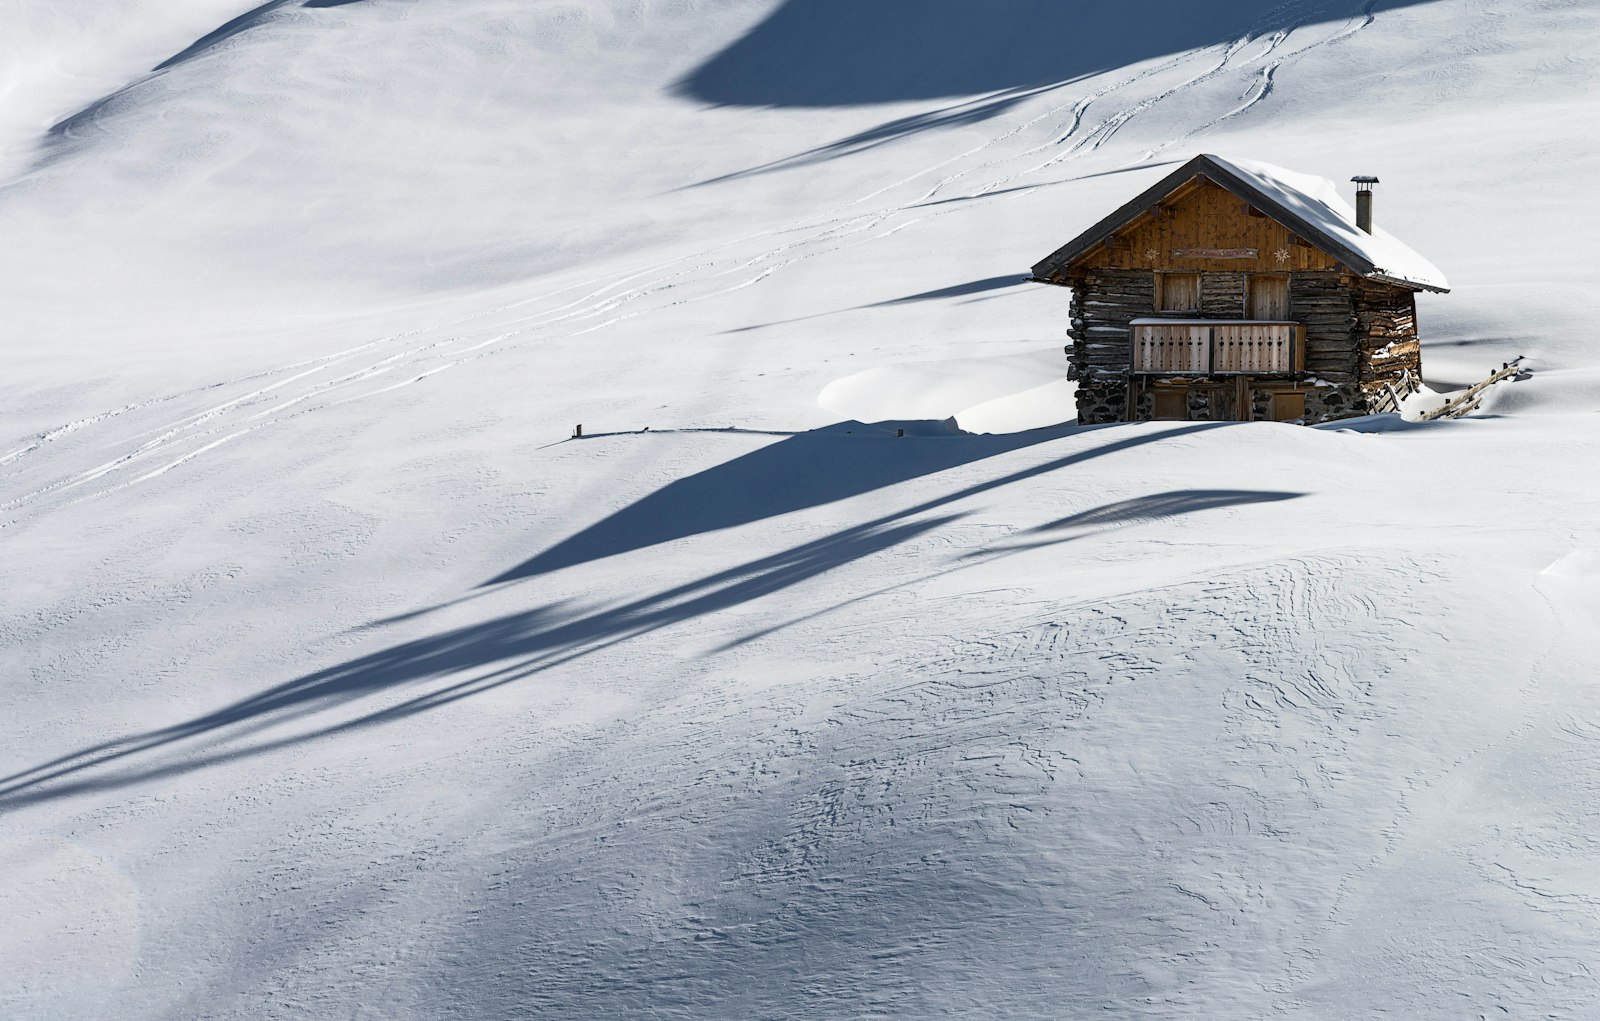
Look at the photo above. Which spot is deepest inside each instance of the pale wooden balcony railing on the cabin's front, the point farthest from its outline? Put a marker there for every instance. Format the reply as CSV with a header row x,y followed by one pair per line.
x,y
1214,346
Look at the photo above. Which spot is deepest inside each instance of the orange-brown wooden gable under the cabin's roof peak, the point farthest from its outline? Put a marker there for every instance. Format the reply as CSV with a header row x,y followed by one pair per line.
x,y
1204,228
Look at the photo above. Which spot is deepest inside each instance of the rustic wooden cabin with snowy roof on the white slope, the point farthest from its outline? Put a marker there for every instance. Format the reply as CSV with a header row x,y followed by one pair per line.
x,y
1239,292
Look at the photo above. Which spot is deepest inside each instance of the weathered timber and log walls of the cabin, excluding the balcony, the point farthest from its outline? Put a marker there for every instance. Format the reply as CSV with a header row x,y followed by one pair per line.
x,y
1359,335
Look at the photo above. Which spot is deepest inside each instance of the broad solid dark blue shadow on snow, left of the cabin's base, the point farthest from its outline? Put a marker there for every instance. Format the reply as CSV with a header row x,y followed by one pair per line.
x,y
802,471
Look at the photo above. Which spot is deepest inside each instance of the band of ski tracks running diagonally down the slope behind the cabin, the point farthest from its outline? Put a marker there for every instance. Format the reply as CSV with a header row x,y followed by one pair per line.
x,y
604,303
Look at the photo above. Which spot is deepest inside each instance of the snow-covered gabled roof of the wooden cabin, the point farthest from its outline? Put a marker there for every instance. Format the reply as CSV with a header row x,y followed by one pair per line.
x,y
1308,206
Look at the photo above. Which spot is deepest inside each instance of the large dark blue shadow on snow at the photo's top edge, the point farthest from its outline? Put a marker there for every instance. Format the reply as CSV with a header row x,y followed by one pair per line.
x,y
822,54
